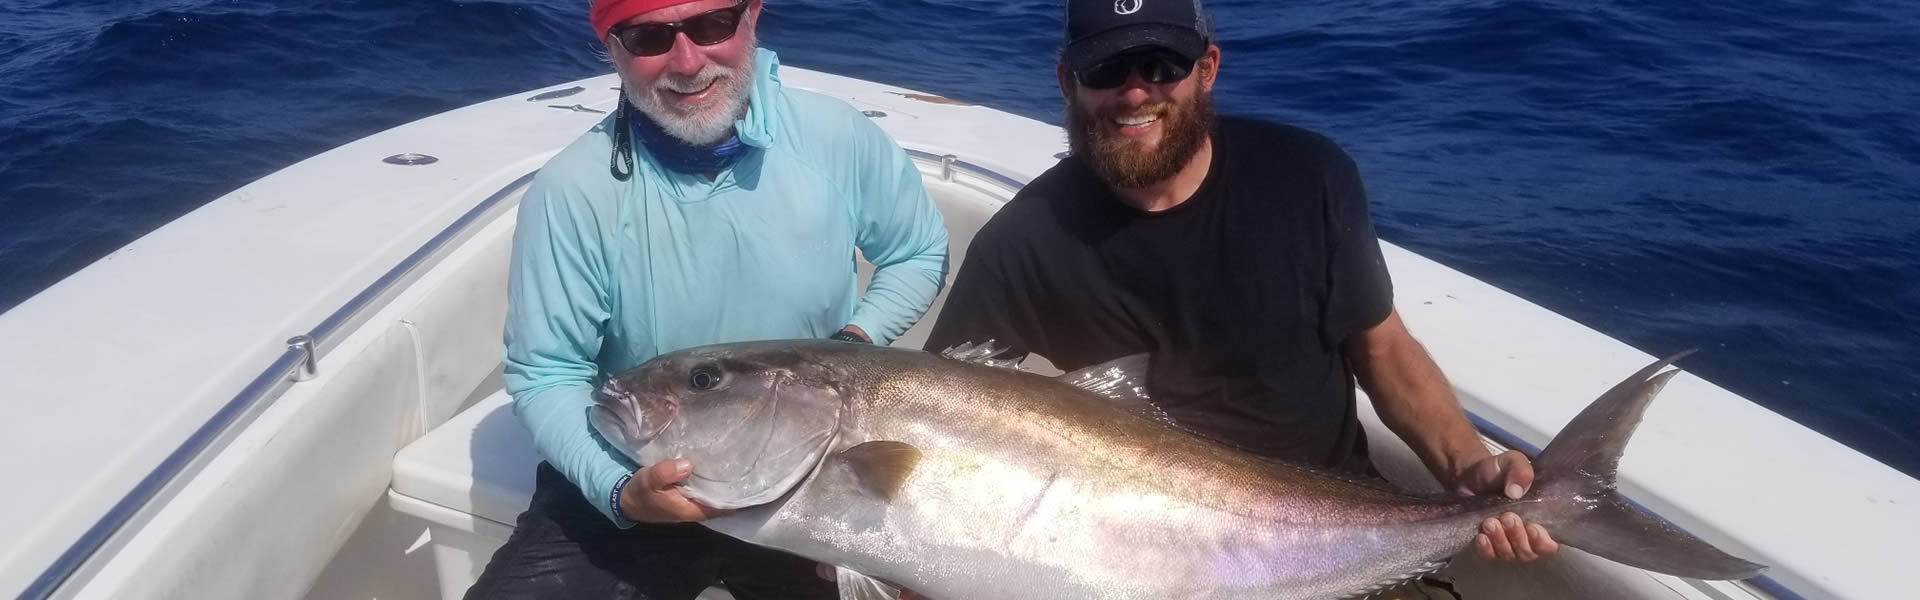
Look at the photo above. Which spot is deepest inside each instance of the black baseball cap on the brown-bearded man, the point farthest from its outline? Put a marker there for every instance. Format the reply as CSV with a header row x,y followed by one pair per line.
x,y
1101,30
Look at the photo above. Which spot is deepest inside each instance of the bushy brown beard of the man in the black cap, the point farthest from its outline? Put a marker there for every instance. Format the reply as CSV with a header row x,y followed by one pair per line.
x,y
1128,164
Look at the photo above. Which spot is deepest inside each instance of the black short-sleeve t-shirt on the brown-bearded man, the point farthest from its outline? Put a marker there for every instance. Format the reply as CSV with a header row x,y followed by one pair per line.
x,y
1243,293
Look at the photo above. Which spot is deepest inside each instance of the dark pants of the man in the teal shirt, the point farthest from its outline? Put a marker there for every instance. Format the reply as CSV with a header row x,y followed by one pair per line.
x,y
565,549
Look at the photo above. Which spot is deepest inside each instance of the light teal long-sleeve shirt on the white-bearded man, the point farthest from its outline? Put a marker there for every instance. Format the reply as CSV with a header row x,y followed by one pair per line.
x,y
608,274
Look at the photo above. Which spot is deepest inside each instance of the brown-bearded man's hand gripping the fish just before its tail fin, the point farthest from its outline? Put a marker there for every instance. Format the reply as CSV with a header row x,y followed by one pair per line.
x,y
1506,537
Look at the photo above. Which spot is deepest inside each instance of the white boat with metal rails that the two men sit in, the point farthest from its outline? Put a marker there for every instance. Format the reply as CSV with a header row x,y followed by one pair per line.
x,y
295,391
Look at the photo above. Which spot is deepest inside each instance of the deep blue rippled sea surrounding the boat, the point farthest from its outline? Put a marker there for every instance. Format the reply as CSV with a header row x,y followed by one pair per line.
x,y
1733,176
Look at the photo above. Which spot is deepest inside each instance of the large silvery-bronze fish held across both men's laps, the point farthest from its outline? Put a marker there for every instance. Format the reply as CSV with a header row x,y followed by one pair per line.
x,y
963,480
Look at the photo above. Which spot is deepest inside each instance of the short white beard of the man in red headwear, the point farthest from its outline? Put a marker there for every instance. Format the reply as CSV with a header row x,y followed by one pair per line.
x,y
709,124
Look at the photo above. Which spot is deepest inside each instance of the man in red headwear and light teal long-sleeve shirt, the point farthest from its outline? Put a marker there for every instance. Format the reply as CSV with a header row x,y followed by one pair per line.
x,y
711,207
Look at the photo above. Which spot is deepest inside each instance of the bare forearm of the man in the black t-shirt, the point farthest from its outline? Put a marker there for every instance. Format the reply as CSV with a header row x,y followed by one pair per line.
x,y
1416,401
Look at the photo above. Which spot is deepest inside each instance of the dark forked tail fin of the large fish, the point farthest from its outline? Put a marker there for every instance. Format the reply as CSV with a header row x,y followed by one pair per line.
x,y
1579,505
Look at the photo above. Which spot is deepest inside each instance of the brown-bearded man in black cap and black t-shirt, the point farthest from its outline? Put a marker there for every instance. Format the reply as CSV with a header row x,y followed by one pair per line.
x,y
1239,253
